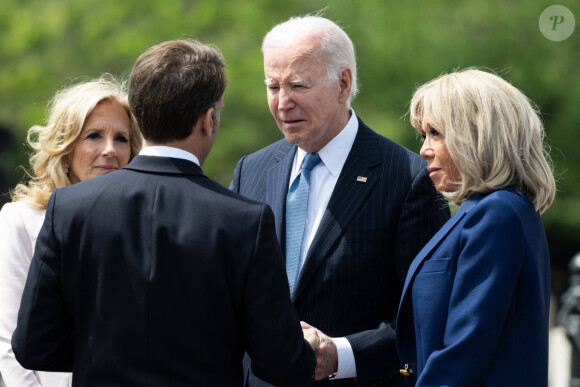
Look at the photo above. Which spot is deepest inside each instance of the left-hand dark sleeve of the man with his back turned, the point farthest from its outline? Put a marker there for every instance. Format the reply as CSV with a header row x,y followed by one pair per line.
x,y
43,336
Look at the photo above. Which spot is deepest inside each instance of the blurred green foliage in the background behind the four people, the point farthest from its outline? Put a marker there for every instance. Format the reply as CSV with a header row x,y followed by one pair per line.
x,y
47,44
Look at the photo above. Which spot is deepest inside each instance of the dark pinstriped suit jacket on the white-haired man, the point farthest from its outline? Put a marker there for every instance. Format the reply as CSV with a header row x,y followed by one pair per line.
x,y
354,270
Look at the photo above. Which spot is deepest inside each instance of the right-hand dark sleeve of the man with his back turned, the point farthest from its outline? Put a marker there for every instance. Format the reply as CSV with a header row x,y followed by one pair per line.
x,y
279,353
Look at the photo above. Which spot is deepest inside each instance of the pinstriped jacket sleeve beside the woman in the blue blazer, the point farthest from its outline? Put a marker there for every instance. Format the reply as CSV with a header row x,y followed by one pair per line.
x,y
424,212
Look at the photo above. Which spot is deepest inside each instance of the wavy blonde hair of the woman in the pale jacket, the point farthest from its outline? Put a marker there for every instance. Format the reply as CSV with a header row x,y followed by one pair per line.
x,y
51,144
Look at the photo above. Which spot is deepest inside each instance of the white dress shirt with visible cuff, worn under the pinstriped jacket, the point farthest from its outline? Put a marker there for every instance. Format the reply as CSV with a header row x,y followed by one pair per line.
x,y
323,179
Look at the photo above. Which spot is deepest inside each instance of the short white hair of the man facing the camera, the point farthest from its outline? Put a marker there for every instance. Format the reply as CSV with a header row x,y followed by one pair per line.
x,y
336,46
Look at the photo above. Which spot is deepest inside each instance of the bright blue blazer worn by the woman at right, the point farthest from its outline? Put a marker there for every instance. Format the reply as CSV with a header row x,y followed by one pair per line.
x,y
474,309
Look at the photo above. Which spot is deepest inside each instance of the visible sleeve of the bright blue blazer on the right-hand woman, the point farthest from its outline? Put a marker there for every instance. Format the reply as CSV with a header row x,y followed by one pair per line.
x,y
488,267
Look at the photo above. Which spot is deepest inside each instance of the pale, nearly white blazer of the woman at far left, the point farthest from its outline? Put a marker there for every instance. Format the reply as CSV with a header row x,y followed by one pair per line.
x,y
19,227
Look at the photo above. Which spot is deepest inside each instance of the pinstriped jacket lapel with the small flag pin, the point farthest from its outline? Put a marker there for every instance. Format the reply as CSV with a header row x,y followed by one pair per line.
x,y
346,199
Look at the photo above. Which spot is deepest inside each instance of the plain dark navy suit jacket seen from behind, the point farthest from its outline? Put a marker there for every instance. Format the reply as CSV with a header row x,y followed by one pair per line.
x,y
157,276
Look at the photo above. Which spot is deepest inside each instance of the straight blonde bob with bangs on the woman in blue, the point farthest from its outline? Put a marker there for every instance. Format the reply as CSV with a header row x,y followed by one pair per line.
x,y
493,134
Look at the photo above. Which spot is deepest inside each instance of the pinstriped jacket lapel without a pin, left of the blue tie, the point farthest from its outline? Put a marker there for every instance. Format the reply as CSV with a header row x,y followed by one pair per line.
x,y
277,186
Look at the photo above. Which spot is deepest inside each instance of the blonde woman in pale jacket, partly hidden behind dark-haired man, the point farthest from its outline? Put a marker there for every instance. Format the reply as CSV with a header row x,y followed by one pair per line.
x,y
89,132
